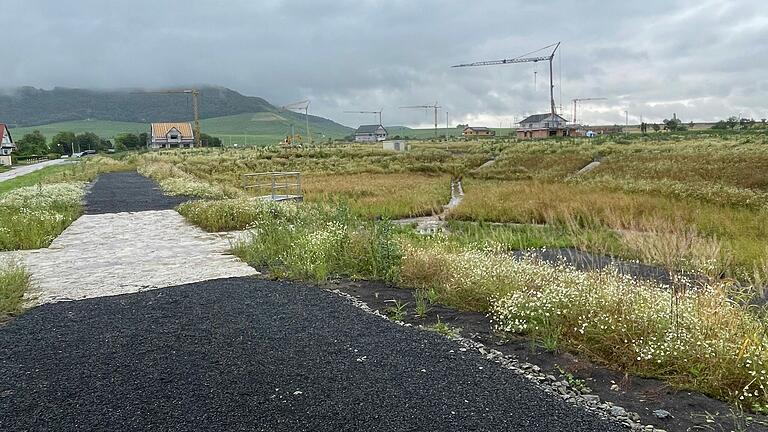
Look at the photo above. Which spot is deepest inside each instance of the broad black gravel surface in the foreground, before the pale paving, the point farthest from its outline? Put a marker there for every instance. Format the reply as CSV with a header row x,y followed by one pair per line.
x,y
246,354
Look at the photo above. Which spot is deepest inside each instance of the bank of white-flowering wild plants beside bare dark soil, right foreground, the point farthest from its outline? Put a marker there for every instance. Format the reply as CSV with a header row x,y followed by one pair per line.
x,y
694,335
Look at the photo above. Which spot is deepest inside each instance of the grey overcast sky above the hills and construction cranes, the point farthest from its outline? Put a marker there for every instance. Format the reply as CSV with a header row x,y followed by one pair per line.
x,y
703,60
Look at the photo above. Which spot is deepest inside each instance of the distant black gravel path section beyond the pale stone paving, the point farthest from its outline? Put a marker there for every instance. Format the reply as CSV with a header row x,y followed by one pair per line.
x,y
127,192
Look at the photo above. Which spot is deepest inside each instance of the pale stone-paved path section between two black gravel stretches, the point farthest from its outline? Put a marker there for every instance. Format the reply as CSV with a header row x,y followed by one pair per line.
x,y
119,253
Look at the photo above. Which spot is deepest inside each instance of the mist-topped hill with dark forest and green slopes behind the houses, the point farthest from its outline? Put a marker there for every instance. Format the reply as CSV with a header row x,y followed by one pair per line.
x,y
238,119
